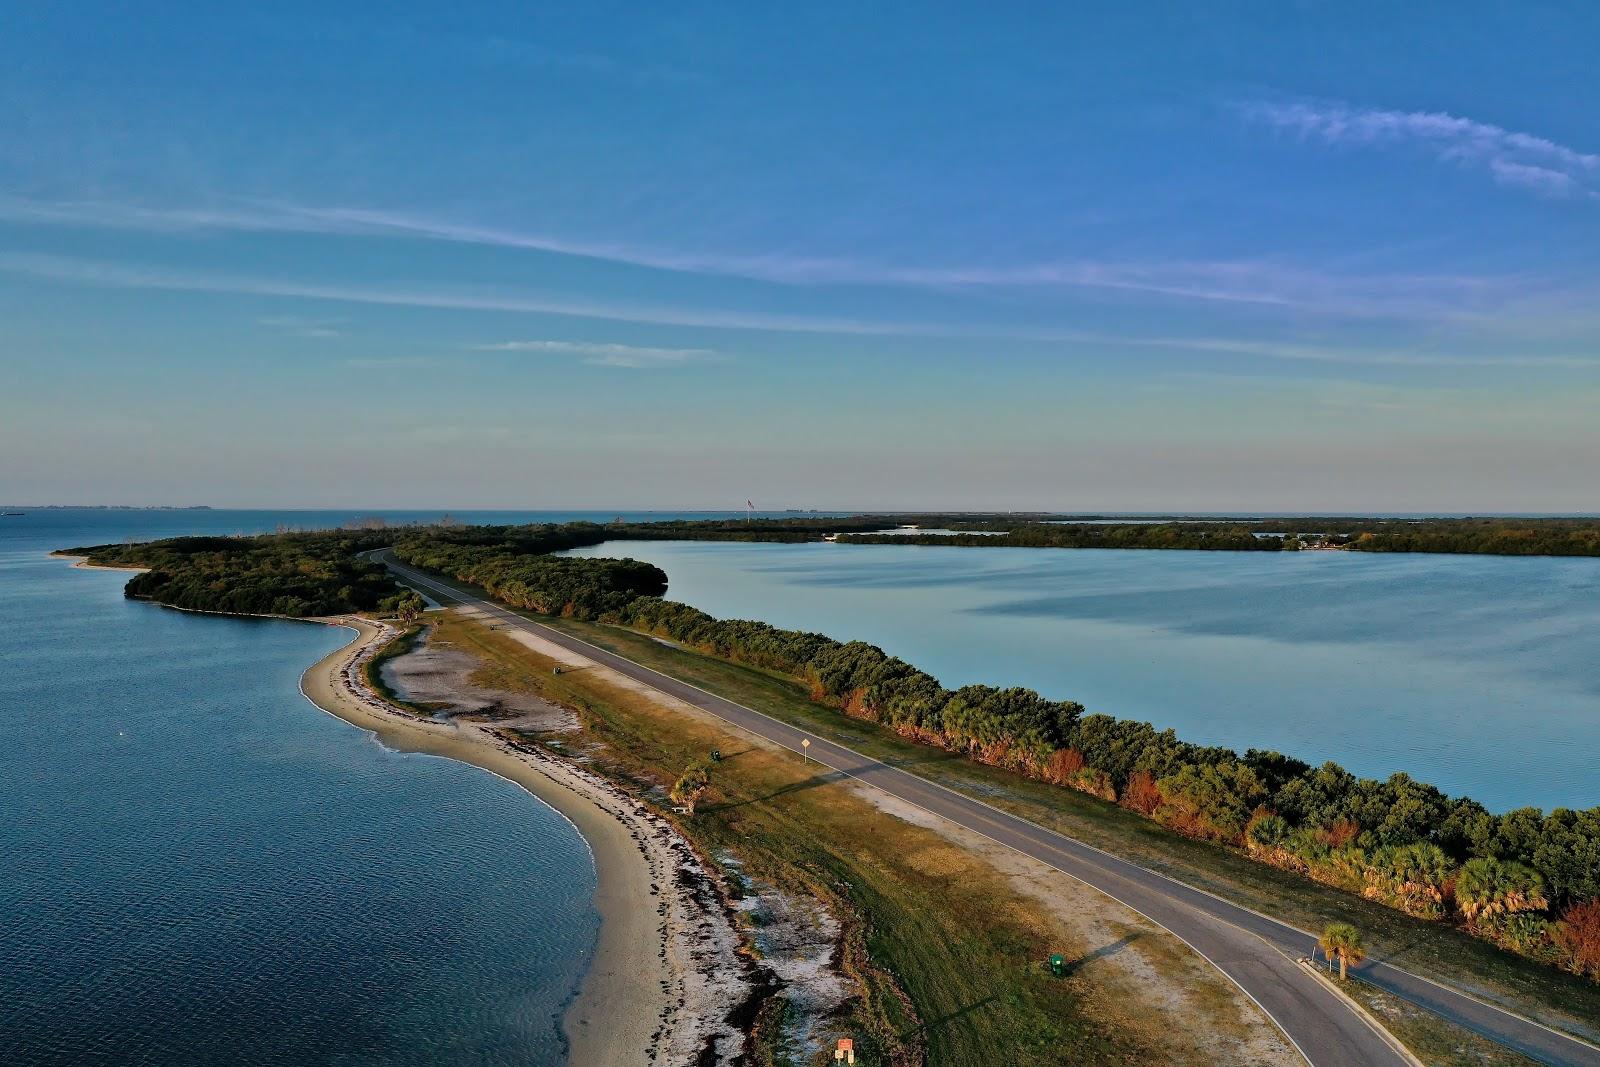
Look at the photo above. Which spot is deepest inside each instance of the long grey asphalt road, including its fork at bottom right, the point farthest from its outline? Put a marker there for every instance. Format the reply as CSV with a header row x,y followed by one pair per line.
x,y
1257,953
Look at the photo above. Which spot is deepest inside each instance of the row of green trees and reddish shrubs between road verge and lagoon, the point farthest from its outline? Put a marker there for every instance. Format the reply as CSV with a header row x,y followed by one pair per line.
x,y
1526,881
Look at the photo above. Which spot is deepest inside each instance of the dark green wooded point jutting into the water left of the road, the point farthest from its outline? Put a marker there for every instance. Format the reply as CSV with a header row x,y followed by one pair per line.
x,y
292,573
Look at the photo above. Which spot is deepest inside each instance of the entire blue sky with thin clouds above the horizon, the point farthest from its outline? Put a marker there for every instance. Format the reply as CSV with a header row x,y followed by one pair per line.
x,y
1268,257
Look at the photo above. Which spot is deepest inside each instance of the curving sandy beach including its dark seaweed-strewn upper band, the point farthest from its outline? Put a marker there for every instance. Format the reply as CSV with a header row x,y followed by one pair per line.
x,y
668,967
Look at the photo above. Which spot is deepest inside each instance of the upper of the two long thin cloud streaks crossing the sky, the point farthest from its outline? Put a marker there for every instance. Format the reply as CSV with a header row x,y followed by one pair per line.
x,y
1249,282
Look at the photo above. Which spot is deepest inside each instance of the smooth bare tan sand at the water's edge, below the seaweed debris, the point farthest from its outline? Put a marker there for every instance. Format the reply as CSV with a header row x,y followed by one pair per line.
x,y
623,1009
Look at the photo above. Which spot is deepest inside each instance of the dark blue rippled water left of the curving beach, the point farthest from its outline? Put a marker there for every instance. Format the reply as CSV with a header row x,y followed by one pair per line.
x,y
201,868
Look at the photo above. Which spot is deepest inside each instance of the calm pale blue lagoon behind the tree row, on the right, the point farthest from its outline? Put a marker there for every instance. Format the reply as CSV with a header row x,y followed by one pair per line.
x,y
1476,674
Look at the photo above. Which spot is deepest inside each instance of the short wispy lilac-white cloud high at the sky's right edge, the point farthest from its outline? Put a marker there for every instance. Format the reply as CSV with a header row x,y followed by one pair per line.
x,y
1510,158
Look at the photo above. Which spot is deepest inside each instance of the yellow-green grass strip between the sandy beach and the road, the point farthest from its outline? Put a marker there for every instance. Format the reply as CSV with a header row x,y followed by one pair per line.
x,y
945,956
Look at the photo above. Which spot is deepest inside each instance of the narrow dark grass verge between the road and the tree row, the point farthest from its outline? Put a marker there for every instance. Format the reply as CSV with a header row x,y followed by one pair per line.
x,y
1428,949
